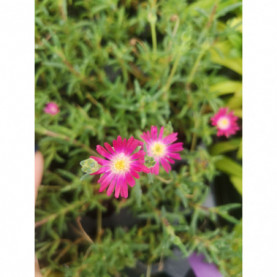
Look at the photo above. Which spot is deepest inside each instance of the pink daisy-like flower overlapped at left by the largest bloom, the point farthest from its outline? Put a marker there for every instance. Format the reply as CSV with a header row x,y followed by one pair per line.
x,y
162,149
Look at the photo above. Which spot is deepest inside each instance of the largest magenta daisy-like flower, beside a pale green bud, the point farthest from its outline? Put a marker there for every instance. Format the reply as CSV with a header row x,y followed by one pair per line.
x,y
121,165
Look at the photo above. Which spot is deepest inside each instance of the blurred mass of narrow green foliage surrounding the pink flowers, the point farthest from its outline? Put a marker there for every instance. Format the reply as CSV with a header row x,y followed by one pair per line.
x,y
116,68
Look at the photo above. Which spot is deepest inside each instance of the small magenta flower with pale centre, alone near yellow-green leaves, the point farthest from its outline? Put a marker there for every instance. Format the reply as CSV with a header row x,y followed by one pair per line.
x,y
225,122
